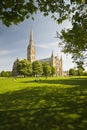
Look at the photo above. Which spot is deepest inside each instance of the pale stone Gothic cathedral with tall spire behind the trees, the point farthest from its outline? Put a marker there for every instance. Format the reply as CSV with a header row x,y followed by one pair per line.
x,y
31,56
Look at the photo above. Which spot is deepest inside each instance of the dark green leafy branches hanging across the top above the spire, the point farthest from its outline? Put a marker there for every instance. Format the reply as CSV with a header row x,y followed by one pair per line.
x,y
15,11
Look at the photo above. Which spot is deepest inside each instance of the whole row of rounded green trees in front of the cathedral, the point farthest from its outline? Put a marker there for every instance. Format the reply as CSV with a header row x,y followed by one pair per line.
x,y
25,68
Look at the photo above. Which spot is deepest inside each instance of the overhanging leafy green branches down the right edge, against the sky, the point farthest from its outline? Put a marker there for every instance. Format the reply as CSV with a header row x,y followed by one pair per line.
x,y
74,40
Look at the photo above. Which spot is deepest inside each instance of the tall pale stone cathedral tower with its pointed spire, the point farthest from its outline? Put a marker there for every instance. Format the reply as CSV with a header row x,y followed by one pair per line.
x,y
31,52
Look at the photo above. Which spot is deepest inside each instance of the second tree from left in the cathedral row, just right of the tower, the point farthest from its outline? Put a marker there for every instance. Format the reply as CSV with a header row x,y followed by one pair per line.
x,y
37,68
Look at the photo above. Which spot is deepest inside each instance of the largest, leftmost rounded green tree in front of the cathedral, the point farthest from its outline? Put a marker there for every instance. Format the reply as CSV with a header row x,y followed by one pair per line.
x,y
24,67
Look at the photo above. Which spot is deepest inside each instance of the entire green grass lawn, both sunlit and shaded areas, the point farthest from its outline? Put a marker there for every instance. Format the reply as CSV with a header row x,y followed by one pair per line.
x,y
50,104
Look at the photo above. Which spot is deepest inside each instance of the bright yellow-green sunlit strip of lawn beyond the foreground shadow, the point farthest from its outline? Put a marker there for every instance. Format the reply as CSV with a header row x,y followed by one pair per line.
x,y
10,84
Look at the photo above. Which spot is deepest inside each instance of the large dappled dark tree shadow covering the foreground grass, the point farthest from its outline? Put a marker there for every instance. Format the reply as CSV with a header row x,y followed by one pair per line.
x,y
44,108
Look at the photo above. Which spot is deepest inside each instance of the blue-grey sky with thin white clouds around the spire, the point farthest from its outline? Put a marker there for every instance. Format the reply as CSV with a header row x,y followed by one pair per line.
x,y
15,39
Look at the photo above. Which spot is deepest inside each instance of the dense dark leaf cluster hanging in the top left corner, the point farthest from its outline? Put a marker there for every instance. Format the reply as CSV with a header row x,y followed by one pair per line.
x,y
13,12
